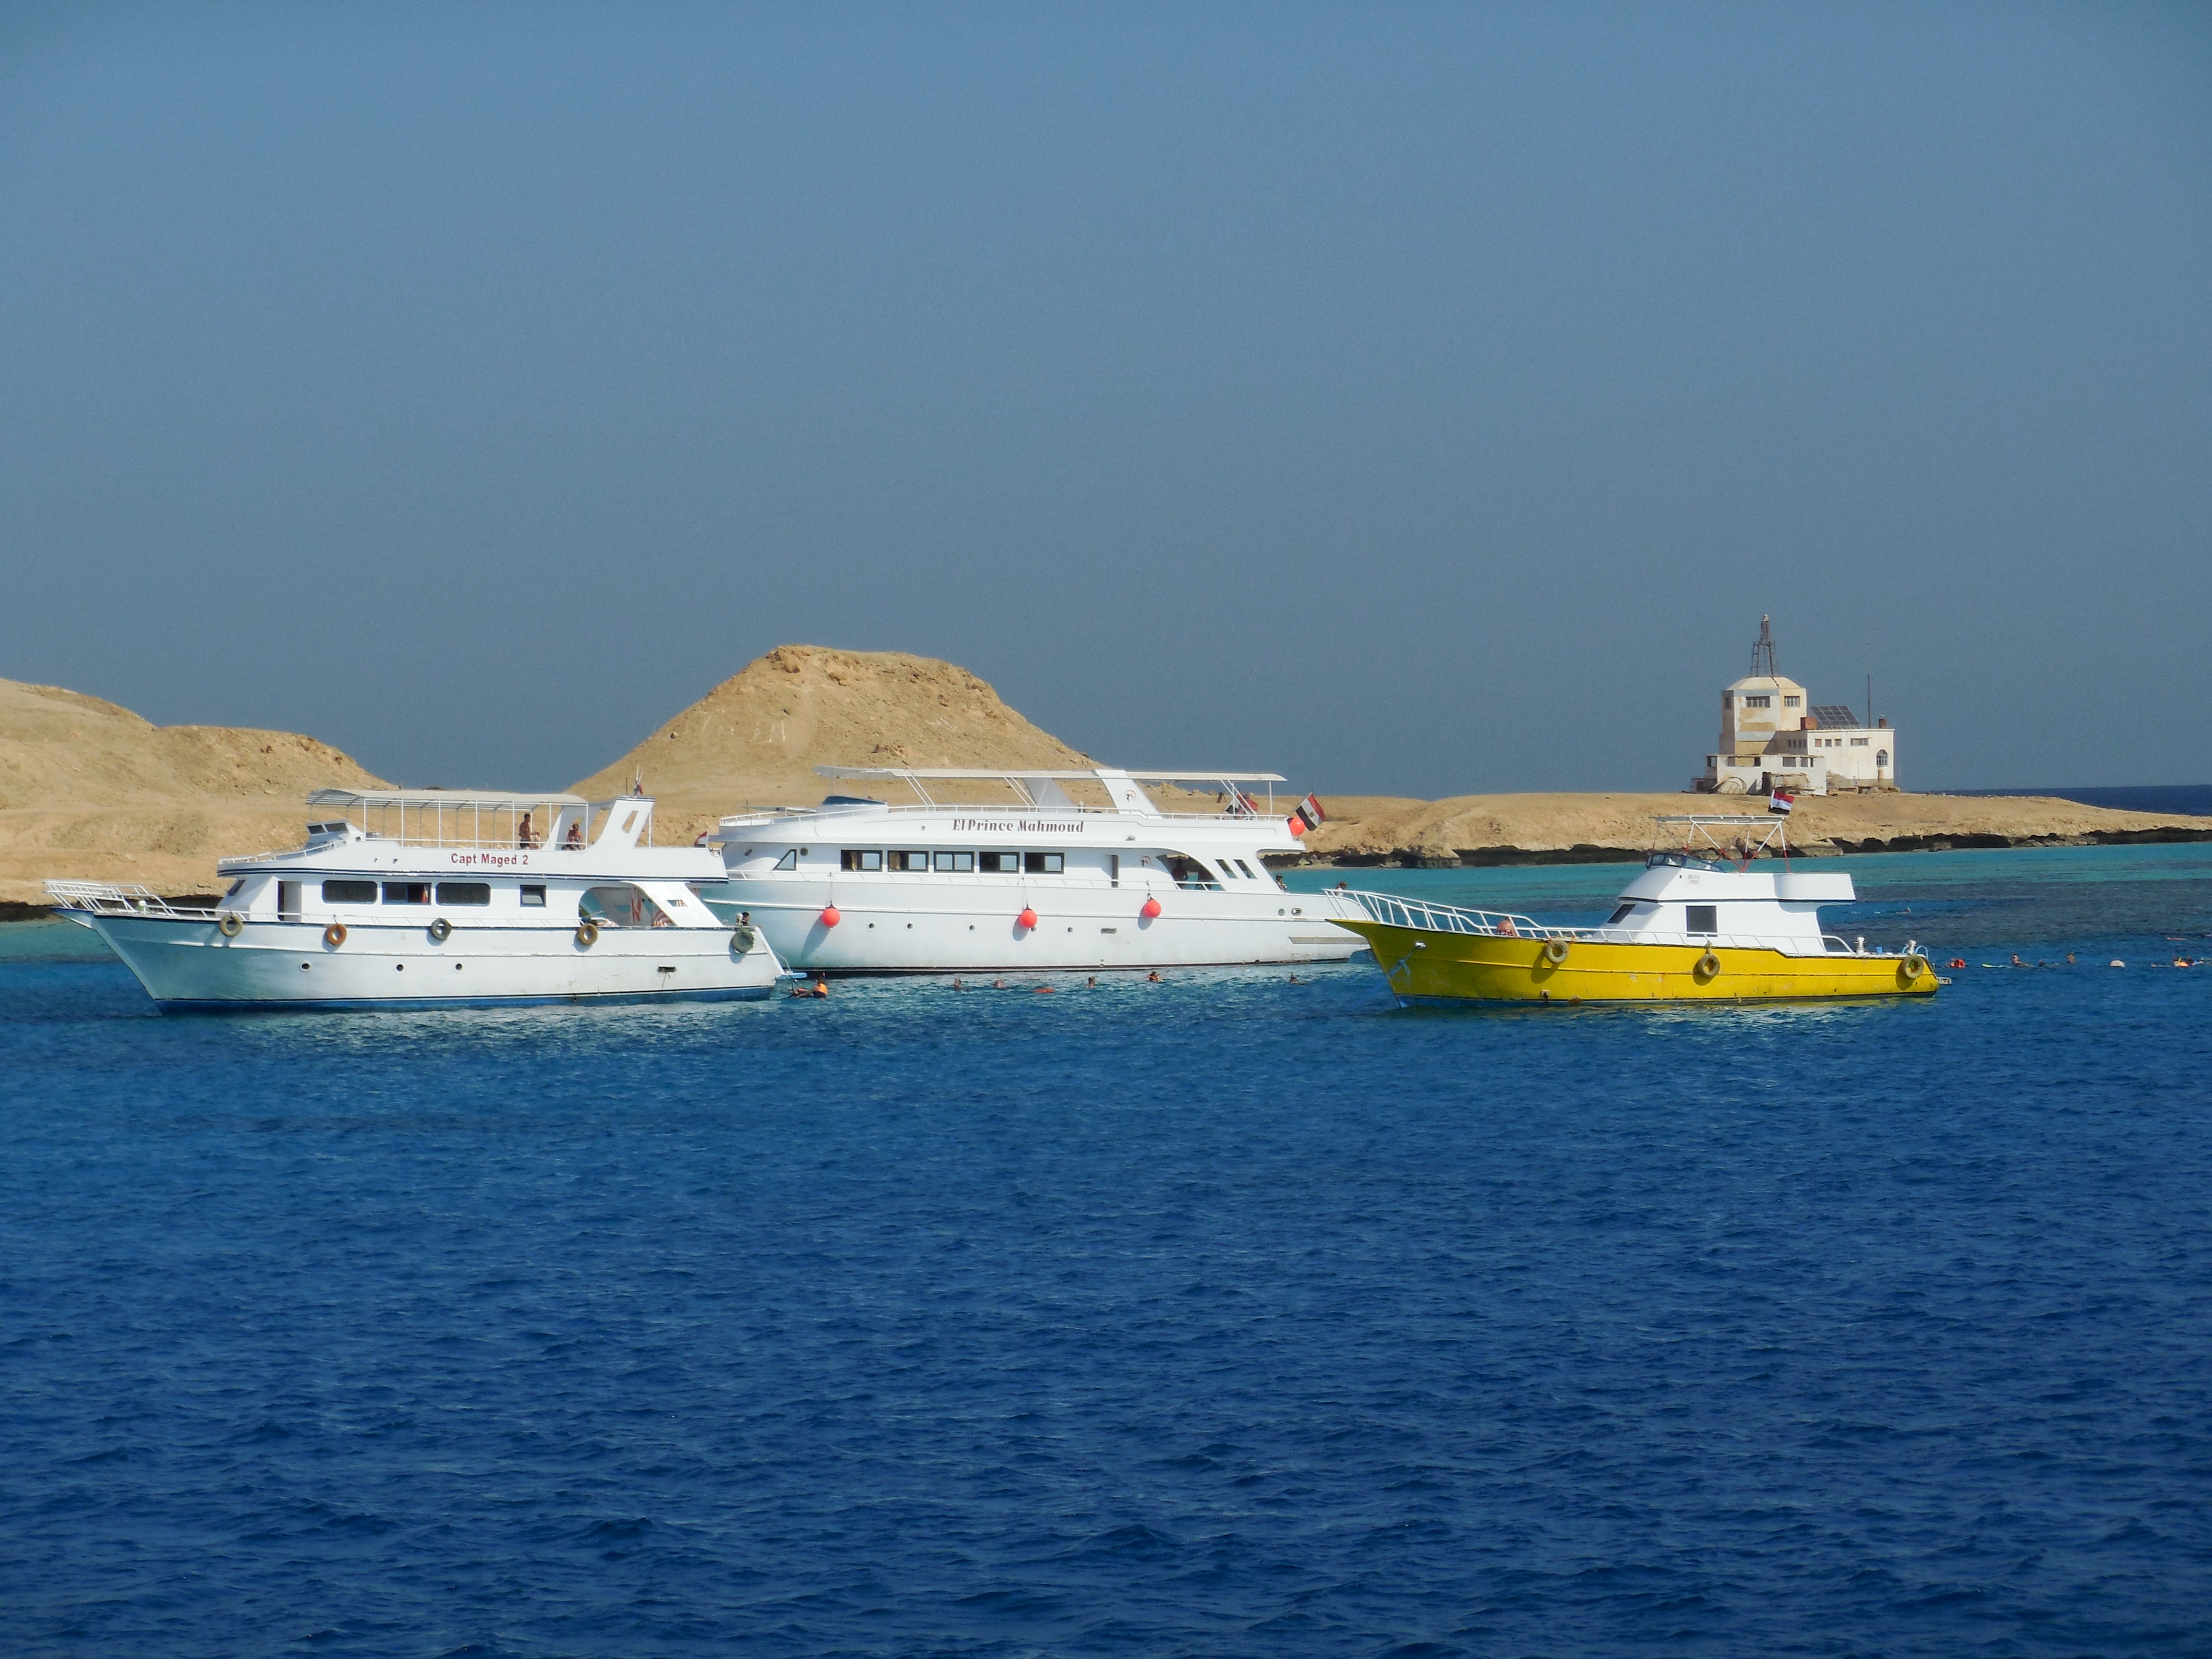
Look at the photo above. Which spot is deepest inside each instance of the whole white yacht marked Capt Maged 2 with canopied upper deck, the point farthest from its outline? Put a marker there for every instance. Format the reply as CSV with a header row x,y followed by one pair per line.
x,y
441,899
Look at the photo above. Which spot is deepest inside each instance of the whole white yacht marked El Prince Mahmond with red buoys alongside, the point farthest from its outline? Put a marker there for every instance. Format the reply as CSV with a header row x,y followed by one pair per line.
x,y
1050,870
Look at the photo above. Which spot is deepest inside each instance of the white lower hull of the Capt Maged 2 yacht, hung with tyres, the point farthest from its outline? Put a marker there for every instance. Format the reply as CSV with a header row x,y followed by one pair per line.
x,y
191,966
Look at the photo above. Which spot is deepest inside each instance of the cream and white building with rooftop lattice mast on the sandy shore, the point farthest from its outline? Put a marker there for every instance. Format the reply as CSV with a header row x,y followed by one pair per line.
x,y
1775,740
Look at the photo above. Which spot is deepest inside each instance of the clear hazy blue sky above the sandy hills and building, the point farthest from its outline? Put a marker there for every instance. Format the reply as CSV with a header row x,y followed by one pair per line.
x,y
1412,399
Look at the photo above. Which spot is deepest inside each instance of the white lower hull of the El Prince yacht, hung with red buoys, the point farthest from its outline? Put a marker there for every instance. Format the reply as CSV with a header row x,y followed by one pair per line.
x,y
890,928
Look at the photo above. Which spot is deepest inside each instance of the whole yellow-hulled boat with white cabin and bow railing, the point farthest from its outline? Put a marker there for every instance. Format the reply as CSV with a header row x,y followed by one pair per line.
x,y
1691,928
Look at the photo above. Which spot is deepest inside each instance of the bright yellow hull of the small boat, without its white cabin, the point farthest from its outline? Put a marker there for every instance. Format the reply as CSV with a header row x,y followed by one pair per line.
x,y
1465,968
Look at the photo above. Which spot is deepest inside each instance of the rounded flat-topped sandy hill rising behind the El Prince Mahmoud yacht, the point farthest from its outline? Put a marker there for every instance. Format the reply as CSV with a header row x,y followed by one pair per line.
x,y
758,738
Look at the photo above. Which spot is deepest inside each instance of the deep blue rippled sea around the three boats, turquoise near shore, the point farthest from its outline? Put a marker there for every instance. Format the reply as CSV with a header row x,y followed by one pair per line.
x,y
1211,1317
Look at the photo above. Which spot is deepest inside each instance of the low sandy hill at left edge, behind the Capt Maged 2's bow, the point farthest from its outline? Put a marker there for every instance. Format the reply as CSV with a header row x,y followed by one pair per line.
x,y
94,791
